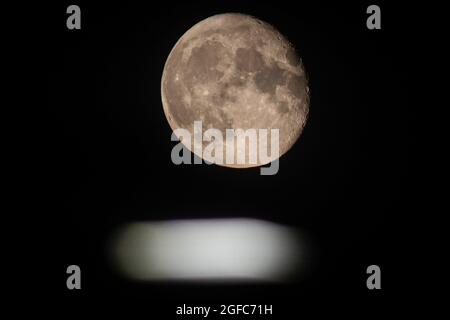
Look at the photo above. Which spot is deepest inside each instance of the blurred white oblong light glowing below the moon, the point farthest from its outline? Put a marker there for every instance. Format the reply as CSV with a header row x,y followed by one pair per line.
x,y
216,249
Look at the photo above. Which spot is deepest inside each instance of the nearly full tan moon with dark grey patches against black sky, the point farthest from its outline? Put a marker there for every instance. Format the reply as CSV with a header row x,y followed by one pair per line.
x,y
233,71
